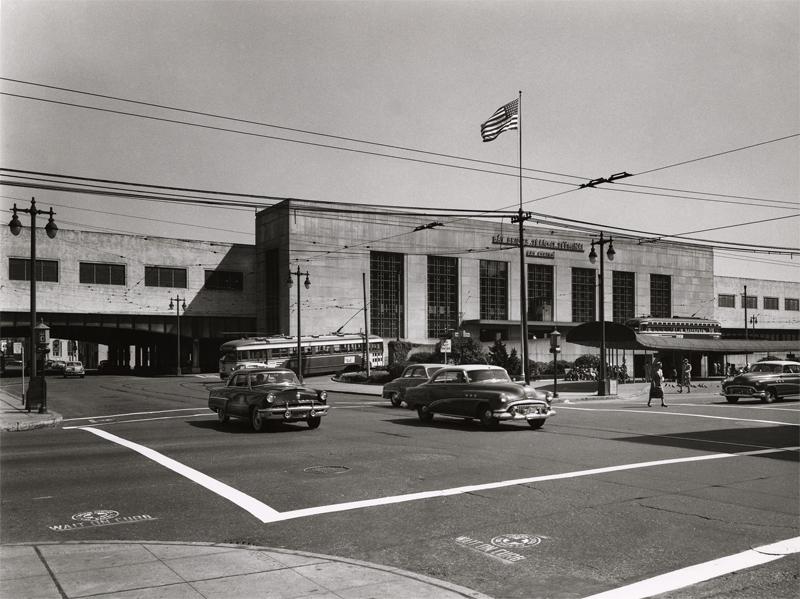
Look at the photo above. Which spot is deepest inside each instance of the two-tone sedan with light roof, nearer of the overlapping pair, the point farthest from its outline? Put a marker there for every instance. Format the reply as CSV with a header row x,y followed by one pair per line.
x,y
481,392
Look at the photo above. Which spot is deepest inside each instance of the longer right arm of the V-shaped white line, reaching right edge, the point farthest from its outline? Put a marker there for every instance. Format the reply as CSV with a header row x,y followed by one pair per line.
x,y
354,505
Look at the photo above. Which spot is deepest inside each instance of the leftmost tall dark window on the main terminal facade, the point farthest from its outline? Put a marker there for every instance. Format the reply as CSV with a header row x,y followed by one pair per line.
x,y
385,283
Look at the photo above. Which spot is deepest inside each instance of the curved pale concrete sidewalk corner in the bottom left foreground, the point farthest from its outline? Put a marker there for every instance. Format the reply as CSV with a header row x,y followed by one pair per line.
x,y
142,570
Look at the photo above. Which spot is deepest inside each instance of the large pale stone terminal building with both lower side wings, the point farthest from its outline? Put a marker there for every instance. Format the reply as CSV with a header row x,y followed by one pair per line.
x,y
401,277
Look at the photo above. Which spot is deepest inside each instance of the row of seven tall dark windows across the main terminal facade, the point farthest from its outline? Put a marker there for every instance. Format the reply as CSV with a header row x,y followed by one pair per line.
x,y
387,276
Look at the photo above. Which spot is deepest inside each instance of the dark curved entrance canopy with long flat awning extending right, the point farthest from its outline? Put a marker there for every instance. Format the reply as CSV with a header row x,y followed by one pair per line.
x,y
621,337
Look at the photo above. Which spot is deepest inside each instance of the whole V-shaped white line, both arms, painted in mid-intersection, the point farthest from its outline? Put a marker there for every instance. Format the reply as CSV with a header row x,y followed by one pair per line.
x,y
267,514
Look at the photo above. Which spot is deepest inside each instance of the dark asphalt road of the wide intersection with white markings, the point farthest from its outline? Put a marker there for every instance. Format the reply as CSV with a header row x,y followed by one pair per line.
x,y
607,494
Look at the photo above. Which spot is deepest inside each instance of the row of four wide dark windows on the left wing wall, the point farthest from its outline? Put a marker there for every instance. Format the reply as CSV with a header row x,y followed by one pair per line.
x,y
95,273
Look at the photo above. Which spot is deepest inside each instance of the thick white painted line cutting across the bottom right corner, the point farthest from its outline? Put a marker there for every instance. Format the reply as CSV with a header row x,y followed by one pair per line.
x,y
702,572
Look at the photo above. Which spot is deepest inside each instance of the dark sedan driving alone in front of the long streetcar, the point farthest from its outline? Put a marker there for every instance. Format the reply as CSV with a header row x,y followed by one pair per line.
x,y
263,395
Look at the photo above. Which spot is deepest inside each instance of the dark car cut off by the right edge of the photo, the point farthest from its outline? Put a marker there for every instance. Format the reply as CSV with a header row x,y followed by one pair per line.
x,y
768,381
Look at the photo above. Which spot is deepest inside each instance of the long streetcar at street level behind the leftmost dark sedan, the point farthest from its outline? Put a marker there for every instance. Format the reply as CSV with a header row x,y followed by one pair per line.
x,y
321,354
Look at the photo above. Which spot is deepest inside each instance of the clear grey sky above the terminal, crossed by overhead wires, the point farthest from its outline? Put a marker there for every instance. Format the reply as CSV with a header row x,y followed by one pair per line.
x,y
699,96
